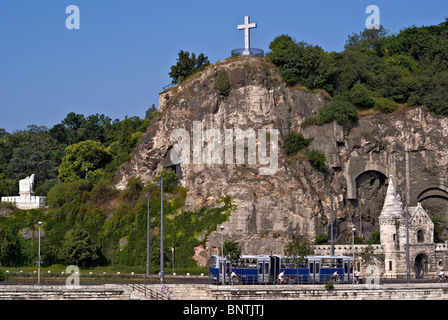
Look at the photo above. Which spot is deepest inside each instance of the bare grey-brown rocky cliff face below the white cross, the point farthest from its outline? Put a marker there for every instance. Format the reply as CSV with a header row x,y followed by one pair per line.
x,y
412,145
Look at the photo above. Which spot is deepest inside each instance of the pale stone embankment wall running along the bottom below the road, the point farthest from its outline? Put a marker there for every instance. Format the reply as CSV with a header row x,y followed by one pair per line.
x,y
214,292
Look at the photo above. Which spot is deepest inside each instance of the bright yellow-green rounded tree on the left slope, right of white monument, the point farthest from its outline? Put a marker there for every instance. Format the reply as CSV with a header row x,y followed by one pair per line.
x,y
86,155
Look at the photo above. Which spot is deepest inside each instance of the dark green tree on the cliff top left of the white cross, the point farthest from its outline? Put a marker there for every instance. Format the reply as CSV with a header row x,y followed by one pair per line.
x,y
187,66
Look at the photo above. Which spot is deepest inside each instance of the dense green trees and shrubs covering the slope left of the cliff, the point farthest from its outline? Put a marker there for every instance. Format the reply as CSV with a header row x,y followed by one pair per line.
x,y
88,221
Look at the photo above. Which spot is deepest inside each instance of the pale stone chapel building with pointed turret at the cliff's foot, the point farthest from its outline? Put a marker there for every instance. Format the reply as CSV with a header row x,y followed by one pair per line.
x,y
426,258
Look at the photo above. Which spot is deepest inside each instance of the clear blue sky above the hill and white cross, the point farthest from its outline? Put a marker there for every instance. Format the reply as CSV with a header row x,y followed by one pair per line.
x,y
119,59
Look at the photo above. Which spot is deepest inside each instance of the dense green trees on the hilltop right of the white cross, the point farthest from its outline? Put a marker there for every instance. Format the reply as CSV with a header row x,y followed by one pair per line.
x,y
375,70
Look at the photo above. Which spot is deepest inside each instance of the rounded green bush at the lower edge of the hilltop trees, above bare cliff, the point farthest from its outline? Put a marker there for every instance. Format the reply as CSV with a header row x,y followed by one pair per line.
x,y
340,110
